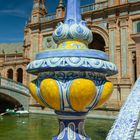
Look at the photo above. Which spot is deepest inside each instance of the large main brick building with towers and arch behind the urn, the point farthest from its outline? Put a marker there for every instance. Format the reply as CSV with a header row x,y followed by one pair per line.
x,y
115,25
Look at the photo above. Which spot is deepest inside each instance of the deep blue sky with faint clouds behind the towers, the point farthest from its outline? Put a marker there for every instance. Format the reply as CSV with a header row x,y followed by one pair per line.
x,y
14,15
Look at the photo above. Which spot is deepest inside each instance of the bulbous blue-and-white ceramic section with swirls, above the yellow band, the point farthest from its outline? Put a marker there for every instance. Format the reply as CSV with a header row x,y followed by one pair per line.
x,y
66,32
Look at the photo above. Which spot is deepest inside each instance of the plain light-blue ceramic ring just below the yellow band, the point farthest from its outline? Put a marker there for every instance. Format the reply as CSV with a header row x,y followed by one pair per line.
x,y
73,53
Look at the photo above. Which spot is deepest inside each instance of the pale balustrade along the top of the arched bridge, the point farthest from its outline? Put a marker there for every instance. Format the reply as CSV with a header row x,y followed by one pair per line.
x,y
13,85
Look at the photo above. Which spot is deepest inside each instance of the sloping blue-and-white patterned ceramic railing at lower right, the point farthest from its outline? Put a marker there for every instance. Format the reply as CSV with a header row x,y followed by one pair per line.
x,y
126,124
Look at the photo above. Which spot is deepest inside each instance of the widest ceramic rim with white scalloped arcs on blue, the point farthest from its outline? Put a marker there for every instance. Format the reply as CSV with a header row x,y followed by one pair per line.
x,y
72,64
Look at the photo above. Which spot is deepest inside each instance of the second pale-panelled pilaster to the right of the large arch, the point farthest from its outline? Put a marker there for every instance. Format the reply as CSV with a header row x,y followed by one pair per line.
x,y
125,82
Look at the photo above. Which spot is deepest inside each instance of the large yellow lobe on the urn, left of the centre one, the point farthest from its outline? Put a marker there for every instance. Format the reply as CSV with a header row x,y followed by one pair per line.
x,y
50,92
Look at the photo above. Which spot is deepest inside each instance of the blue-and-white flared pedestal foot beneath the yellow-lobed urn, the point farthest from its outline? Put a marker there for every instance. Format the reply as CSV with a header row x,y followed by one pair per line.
x,y
71,128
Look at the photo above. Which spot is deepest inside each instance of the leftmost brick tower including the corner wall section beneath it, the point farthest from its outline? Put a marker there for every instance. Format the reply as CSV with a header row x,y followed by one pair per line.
x,y
32,34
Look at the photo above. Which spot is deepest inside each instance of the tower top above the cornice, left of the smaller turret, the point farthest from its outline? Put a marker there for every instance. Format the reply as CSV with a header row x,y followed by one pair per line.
x,y
38,12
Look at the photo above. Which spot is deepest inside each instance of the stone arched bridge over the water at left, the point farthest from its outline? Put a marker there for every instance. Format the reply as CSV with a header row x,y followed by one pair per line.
x,y
13,94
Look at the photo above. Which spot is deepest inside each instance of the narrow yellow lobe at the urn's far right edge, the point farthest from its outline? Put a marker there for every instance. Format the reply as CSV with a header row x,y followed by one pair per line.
x,y
106,93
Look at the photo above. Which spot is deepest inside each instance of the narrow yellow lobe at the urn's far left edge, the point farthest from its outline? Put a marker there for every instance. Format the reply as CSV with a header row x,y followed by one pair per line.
x,y
32,88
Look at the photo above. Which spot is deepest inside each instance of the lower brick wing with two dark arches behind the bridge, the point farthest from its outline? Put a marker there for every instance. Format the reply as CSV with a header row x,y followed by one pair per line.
x,y
12,62
